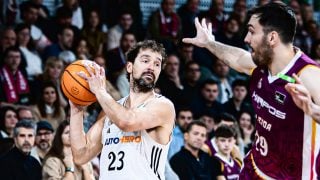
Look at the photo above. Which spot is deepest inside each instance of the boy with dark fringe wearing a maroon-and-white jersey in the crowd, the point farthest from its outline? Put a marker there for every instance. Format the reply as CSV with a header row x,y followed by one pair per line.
x,y
227,166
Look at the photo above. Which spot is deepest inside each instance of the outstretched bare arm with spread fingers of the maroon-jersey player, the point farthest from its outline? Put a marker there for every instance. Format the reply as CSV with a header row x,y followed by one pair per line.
x,y
236,58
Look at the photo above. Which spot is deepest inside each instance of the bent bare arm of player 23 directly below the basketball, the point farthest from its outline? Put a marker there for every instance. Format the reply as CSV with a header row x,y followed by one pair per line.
x,y
84,146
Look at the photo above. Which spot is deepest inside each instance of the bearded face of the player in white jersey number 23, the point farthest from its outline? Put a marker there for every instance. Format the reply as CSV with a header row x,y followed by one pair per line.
x,y
145,70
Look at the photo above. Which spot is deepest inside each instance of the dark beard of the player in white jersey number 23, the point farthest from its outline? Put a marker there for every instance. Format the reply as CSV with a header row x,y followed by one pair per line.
x,y
141,84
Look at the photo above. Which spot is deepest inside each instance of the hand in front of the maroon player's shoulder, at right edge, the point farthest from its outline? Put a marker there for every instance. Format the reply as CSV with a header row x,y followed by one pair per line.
x,y
300,95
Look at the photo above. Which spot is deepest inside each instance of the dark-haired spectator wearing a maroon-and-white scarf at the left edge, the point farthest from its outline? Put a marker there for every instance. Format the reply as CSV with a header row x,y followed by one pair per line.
x,y
14,85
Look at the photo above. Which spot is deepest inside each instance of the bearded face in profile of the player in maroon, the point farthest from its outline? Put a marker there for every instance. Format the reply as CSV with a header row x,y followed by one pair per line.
x,y
262,52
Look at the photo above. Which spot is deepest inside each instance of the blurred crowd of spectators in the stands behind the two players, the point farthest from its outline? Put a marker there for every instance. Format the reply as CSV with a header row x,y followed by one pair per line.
x,y
36,46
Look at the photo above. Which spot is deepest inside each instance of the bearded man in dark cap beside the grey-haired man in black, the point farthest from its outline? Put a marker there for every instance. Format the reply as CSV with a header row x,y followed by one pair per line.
x,y
43,140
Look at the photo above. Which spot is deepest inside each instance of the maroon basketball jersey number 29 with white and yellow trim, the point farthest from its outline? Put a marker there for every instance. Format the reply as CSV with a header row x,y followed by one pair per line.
x,y
285,145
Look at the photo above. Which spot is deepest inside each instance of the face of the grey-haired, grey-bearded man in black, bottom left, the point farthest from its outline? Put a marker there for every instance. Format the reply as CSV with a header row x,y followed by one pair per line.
x,y
24,140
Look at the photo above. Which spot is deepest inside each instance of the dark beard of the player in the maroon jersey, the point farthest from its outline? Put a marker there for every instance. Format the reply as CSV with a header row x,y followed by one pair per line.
x,y
263,53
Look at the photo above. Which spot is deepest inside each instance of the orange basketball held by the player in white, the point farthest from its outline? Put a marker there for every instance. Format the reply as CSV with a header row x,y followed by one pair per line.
x,y
75,87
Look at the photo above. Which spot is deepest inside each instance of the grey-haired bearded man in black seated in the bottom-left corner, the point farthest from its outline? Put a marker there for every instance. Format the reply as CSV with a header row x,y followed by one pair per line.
x,y
18,163
